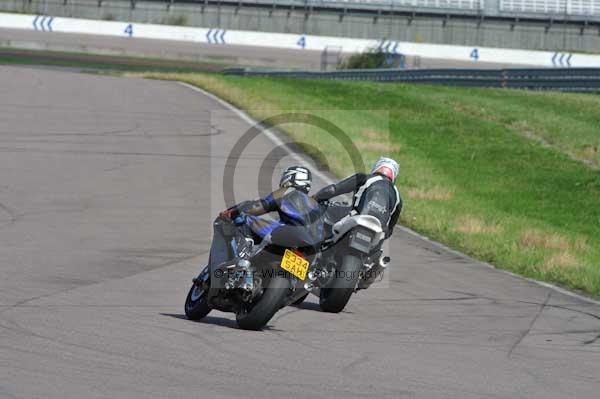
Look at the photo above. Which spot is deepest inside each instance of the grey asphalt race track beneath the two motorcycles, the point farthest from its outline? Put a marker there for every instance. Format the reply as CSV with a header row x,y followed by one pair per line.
x,y
105,211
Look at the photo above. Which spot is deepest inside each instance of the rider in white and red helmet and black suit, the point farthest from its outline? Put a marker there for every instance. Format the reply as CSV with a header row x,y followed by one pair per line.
x,y
375,194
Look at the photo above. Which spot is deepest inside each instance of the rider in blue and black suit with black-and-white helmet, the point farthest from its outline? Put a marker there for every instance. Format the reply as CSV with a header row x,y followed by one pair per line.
x,y
291,201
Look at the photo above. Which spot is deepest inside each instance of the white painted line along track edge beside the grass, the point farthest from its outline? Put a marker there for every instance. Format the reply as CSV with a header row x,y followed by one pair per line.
x,y
327,179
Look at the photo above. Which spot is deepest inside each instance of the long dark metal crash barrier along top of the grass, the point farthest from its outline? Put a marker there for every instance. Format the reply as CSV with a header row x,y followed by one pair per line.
x,y
564,79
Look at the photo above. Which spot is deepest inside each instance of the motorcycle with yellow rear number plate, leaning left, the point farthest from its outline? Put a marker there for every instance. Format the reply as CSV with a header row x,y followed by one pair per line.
x,y
259,278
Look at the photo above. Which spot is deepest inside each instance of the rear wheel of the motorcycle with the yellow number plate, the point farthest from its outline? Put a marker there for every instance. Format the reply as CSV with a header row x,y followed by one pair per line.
x,y
256,315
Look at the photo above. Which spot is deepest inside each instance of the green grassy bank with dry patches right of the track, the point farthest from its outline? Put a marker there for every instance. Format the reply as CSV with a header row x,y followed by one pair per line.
x,y
509,177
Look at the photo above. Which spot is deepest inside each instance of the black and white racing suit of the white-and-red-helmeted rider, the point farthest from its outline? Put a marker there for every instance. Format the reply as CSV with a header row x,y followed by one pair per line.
x,y
374,195
